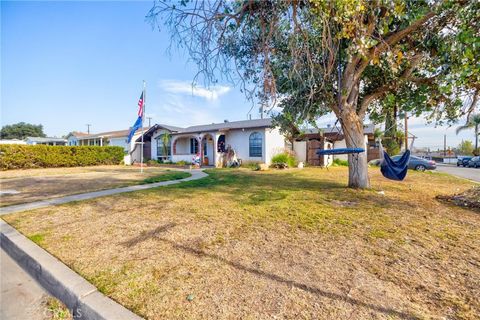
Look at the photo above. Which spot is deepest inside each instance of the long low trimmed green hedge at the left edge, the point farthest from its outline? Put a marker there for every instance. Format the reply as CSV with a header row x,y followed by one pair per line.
x,y
14,156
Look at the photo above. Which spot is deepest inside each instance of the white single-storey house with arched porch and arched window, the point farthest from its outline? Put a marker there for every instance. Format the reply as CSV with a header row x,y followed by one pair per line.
x,y
253,141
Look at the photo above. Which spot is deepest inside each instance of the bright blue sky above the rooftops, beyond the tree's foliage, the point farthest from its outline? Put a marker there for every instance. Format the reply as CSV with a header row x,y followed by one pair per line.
x,y
65,64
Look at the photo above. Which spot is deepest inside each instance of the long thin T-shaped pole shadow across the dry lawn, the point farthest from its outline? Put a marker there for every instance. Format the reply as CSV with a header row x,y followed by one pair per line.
x,y
155,234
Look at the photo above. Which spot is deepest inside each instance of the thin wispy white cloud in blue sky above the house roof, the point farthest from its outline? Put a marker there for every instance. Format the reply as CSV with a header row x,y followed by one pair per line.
x,y
185,87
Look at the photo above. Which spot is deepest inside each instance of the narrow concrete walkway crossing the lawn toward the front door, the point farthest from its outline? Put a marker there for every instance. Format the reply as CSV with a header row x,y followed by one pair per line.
x,y
196,174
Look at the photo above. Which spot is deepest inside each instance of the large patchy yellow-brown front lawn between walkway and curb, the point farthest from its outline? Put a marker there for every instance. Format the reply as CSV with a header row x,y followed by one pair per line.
x,y
292,244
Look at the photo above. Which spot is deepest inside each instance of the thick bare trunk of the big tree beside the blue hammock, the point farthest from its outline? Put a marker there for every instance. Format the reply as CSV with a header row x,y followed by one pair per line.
x,y
352,127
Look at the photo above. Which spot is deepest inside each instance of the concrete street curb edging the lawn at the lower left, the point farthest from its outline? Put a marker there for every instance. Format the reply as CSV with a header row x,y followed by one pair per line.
x,y
82,298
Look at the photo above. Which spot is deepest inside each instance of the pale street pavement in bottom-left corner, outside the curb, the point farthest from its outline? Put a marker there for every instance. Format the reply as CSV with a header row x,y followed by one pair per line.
x,y
21,297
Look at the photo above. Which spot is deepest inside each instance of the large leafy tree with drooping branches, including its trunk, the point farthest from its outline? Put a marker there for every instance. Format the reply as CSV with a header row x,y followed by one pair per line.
x,y
343,56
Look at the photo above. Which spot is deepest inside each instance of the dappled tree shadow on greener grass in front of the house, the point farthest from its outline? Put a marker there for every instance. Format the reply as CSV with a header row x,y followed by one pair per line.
x,y
255,188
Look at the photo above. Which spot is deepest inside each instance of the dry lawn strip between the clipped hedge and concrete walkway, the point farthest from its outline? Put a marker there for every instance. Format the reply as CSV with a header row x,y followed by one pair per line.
x,y
38,184
